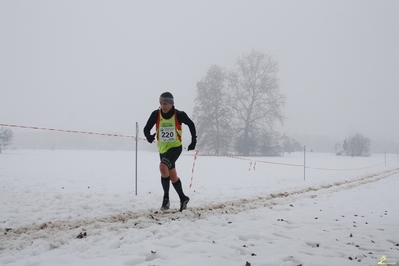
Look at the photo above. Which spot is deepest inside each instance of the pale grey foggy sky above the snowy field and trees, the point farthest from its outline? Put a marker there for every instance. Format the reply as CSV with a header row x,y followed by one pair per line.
x,y
101,65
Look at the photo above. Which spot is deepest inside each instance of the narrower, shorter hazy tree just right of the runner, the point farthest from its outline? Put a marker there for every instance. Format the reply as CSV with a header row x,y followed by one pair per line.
x,y
211,112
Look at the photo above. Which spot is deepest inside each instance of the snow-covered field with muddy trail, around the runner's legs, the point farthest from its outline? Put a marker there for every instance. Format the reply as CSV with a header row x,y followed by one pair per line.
x,y
80,208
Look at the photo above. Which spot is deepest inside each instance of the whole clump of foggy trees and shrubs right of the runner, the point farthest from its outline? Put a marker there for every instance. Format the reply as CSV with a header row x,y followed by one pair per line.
x,y
236,111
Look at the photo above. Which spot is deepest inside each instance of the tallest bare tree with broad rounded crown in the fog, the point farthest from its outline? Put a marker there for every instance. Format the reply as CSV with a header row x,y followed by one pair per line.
x,y
257,101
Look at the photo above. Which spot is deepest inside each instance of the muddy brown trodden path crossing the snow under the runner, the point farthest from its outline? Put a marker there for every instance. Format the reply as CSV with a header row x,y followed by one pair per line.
x,y
19,238
